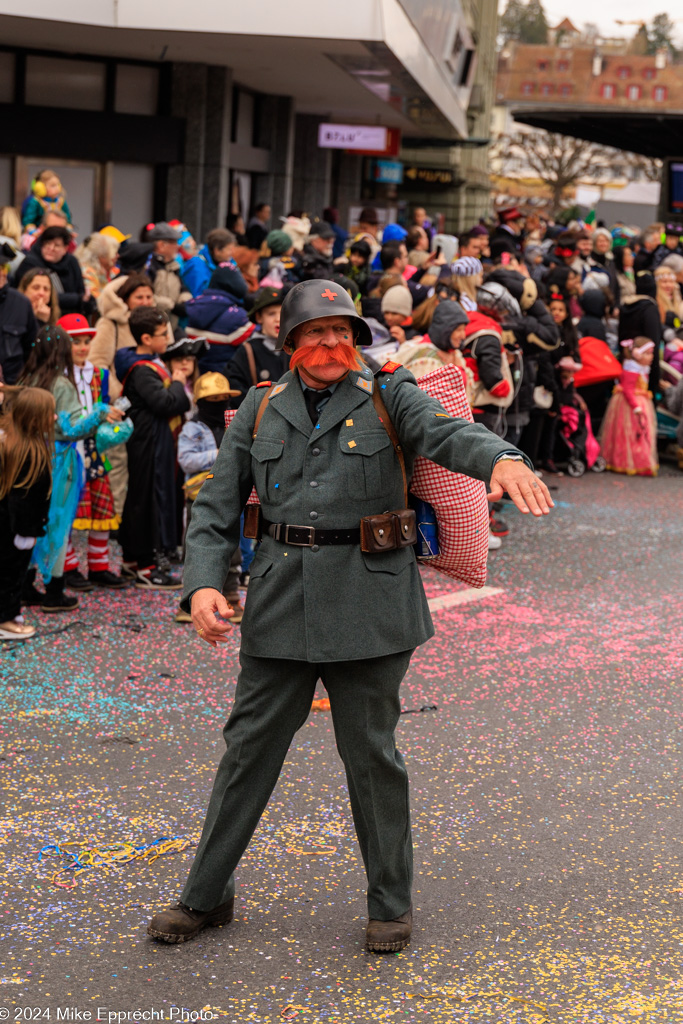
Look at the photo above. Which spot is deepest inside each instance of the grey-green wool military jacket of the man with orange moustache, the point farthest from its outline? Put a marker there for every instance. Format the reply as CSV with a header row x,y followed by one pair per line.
x,y
335,604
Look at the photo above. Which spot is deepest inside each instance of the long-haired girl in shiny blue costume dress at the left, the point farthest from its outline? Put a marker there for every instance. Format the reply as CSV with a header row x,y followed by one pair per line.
x,y
51,366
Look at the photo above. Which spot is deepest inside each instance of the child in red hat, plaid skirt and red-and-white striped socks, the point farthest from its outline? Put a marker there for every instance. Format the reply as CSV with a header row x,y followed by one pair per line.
x,y
96,510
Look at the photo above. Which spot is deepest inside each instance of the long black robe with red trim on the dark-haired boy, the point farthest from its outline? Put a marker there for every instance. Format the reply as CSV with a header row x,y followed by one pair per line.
x,y
150,514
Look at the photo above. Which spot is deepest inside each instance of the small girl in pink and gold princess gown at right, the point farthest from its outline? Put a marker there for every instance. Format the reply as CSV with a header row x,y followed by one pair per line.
x,y
628,437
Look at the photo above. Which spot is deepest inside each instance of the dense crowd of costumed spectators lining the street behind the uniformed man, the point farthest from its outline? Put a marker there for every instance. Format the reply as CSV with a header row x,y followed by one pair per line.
x,y
157,340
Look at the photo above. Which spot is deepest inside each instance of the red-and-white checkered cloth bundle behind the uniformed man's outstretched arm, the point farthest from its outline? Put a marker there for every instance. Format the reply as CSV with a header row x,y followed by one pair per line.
x,y
460,502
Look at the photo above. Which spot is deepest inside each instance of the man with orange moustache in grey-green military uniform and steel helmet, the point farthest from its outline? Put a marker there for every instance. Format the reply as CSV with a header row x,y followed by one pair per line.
x,y
319,607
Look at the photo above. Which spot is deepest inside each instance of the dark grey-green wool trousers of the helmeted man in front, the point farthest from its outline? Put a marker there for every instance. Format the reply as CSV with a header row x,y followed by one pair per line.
x,y
273,701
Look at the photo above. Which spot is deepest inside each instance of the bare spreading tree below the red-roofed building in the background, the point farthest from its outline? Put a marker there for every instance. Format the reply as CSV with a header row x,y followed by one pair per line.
x,y
561,161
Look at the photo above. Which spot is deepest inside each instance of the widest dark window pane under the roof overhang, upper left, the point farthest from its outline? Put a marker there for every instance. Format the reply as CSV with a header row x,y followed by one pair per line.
x,y
57,82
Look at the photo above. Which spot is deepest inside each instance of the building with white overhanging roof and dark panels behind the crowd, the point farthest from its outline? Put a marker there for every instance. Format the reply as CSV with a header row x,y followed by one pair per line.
x,y
199,111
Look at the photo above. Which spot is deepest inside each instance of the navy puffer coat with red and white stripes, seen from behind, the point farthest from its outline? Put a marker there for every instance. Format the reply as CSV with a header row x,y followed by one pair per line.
x,y
223,320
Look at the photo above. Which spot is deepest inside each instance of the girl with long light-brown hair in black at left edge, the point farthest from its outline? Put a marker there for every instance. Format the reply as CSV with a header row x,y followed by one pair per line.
x,y
27,431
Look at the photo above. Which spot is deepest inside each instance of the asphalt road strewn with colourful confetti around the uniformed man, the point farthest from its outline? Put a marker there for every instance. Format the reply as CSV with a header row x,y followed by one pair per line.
x,y
546,793
